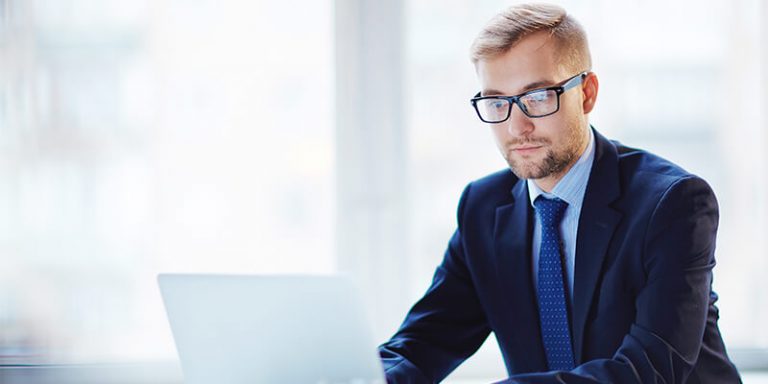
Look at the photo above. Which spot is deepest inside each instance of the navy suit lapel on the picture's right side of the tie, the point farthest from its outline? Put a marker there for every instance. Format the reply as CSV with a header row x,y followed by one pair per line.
x,y
597,223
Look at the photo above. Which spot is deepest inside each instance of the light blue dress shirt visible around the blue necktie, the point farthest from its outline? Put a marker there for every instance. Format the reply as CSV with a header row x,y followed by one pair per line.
x,y
570,189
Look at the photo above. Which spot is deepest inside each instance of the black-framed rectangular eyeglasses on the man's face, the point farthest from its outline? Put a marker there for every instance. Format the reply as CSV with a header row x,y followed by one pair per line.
x,y
535,103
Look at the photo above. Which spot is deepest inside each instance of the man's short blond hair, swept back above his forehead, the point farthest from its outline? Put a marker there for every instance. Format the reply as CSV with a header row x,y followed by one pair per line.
x,y
515,23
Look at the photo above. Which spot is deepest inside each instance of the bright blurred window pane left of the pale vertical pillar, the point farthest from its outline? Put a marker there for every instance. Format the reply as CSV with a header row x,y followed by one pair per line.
x,y
151,136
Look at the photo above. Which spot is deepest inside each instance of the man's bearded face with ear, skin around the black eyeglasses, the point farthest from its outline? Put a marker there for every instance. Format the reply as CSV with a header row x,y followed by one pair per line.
x,y
543,148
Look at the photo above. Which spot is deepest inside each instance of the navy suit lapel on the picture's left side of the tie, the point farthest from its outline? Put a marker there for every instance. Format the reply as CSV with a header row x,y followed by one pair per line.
x,y
512,237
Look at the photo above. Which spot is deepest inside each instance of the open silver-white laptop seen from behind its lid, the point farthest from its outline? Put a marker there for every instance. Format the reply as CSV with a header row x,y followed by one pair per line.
x,y
270,329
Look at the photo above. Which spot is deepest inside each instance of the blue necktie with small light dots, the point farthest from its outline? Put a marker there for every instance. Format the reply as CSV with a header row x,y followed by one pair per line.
x,y
553,312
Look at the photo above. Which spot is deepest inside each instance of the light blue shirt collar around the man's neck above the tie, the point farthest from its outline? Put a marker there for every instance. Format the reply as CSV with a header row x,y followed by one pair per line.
x,y
572,186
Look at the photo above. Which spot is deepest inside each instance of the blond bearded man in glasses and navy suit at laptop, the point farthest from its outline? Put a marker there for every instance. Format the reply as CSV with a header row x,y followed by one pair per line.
x,y
591,262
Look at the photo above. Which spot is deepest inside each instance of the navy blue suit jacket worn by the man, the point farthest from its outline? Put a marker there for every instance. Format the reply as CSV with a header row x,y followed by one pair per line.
x,y
642,310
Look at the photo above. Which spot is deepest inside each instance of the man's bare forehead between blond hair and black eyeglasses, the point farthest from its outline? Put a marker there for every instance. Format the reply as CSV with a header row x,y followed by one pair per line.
x,y
531,63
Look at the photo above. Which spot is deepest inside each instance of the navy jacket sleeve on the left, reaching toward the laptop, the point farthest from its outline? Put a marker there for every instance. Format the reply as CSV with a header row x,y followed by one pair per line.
x,y
443,328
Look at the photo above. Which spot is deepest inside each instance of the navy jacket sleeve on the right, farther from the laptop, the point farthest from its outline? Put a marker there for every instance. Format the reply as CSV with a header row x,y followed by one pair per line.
x,y
663,344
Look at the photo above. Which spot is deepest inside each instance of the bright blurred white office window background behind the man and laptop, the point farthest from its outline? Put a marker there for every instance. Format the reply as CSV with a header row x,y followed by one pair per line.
x,y
306,136
